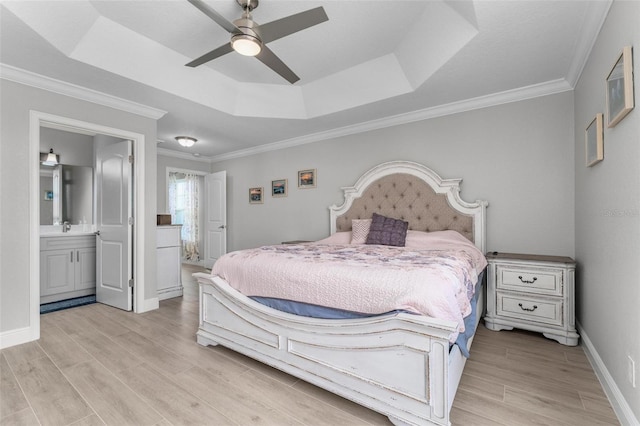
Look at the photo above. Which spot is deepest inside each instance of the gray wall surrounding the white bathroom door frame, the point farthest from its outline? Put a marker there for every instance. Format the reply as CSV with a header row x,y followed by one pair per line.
x,y
16,102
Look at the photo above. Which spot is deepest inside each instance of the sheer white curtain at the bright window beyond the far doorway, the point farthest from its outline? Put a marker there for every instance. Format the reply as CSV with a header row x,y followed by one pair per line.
x,y
184,190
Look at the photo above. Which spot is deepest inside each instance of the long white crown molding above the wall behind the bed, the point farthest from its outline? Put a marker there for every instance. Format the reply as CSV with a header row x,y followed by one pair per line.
x,y
509,96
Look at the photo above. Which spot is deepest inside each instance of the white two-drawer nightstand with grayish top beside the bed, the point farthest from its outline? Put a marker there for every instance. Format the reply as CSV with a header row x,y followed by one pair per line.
x,y
532,292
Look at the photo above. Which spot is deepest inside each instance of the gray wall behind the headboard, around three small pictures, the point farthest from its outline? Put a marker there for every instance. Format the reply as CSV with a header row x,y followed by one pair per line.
x,y
519,157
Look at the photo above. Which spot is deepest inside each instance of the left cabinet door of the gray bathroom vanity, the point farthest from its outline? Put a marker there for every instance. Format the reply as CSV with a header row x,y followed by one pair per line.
x,y
57,269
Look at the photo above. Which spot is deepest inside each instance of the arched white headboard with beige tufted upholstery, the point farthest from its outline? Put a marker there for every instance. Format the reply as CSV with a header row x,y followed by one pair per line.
x,y
411,192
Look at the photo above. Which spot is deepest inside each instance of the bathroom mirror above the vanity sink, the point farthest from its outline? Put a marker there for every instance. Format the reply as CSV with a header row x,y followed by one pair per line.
x,y
66,194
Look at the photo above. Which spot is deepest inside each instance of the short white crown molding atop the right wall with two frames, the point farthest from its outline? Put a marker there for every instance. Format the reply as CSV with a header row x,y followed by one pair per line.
x,y
595,16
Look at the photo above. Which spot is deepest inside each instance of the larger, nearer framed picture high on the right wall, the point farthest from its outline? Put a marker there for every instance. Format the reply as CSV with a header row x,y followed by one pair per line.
x,y
620,88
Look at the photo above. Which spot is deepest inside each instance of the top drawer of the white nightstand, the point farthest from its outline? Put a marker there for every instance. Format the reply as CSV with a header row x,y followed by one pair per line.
x,y
531,280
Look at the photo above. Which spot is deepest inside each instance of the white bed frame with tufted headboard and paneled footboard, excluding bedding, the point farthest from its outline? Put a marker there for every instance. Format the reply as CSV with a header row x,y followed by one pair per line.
x,y
400,364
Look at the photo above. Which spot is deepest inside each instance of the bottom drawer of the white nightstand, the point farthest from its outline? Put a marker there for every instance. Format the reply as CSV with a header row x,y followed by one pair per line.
x,y
530,308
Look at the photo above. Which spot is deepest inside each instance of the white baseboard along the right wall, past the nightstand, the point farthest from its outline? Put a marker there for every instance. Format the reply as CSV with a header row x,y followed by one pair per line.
x,y
618,403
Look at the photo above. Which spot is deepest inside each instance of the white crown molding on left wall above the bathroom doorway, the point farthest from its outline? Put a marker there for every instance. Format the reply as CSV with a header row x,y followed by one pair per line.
x,y
28,78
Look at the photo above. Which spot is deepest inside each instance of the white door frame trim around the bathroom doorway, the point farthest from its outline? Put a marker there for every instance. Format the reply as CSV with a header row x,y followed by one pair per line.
x,y
39,119
